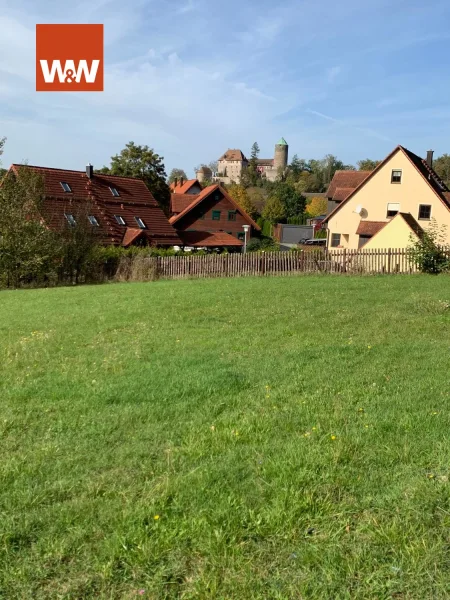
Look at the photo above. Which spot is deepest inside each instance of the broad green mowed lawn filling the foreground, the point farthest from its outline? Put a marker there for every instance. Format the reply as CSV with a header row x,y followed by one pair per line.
x,y
239,438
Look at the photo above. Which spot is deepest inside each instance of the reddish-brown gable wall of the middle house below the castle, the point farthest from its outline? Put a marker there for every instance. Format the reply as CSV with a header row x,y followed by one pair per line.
x,y
193,220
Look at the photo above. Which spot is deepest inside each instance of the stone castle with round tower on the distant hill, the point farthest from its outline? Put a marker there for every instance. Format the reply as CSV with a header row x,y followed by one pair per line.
x,y
231,164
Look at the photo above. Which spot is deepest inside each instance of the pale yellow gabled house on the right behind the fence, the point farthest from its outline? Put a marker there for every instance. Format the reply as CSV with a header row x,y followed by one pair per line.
x,y
398,199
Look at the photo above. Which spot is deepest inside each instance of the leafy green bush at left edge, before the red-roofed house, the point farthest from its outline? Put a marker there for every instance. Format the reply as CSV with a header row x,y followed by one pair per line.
x,y
29,250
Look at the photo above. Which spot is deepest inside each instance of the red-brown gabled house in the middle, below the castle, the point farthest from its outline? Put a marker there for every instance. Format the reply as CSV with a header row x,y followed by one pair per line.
x,y
211,219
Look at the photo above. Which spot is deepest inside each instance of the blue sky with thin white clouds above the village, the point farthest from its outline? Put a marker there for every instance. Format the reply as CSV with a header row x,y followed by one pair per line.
x,y
192,78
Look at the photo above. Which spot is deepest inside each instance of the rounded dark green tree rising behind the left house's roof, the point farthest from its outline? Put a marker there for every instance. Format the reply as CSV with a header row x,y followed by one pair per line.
x,y
142,162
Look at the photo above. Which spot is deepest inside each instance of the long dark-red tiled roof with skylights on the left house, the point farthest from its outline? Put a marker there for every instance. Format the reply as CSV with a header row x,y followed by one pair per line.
x,y
122,209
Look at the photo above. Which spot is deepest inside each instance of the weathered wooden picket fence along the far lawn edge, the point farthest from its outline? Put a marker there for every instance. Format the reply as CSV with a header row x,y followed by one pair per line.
x,y
392,261
